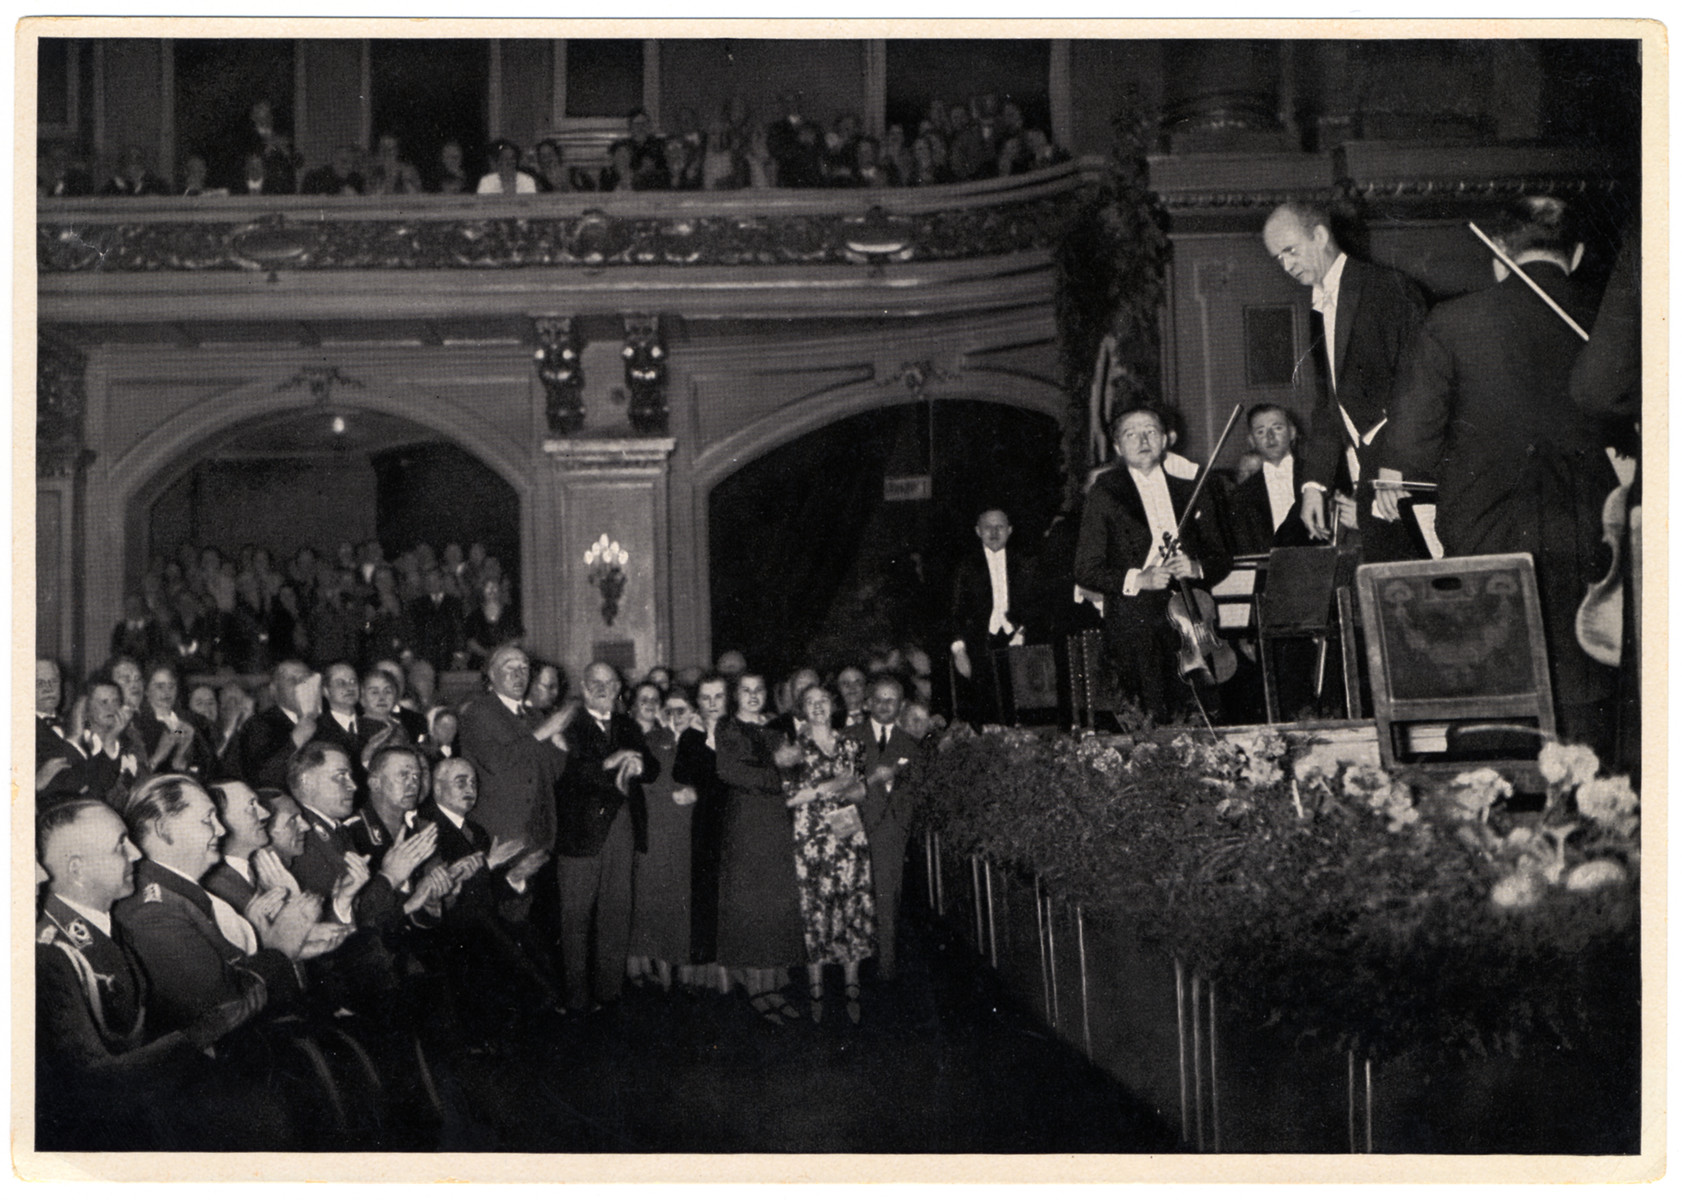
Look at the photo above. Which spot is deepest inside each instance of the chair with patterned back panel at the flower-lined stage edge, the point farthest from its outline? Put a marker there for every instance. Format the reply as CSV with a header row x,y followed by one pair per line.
x,y
1459,664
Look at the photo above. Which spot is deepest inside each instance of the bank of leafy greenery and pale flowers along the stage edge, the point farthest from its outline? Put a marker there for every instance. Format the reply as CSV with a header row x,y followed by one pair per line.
x,y
1372,911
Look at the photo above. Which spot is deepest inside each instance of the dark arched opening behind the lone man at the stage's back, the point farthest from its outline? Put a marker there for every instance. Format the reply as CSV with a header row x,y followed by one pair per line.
x,y
812,563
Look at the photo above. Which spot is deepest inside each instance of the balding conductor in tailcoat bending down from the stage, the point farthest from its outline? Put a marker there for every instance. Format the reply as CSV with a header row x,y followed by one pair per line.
x,y
1367,316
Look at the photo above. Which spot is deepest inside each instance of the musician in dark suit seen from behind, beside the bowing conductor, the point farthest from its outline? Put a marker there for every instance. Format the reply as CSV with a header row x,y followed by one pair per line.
x,y
1484,408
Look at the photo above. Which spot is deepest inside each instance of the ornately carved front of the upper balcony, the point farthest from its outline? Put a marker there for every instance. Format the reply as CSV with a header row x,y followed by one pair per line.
x,y
754,230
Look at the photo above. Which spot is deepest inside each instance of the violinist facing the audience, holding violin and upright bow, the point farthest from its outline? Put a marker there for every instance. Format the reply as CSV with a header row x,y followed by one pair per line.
x,y
1131,512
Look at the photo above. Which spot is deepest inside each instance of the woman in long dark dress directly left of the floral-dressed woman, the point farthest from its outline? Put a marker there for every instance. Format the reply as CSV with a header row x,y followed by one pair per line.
x,y
759,903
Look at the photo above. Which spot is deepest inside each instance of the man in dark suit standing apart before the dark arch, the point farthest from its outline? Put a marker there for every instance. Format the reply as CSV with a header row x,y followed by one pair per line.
x,y
988,615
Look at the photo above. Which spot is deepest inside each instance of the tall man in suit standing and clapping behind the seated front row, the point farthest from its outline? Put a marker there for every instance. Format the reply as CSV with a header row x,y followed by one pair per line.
x,y
517,760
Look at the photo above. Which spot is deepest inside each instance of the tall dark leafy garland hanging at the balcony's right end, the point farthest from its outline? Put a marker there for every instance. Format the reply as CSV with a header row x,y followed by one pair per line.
x,y
1111,279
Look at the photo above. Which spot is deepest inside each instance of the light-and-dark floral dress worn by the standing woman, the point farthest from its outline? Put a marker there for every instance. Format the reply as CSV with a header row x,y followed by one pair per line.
x,y
837,903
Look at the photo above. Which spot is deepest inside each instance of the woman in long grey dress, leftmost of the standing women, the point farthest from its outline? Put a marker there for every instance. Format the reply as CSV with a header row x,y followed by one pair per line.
x,y
660,878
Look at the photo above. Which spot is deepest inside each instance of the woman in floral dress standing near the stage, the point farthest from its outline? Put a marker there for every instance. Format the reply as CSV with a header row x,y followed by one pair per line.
x,y
832,856
